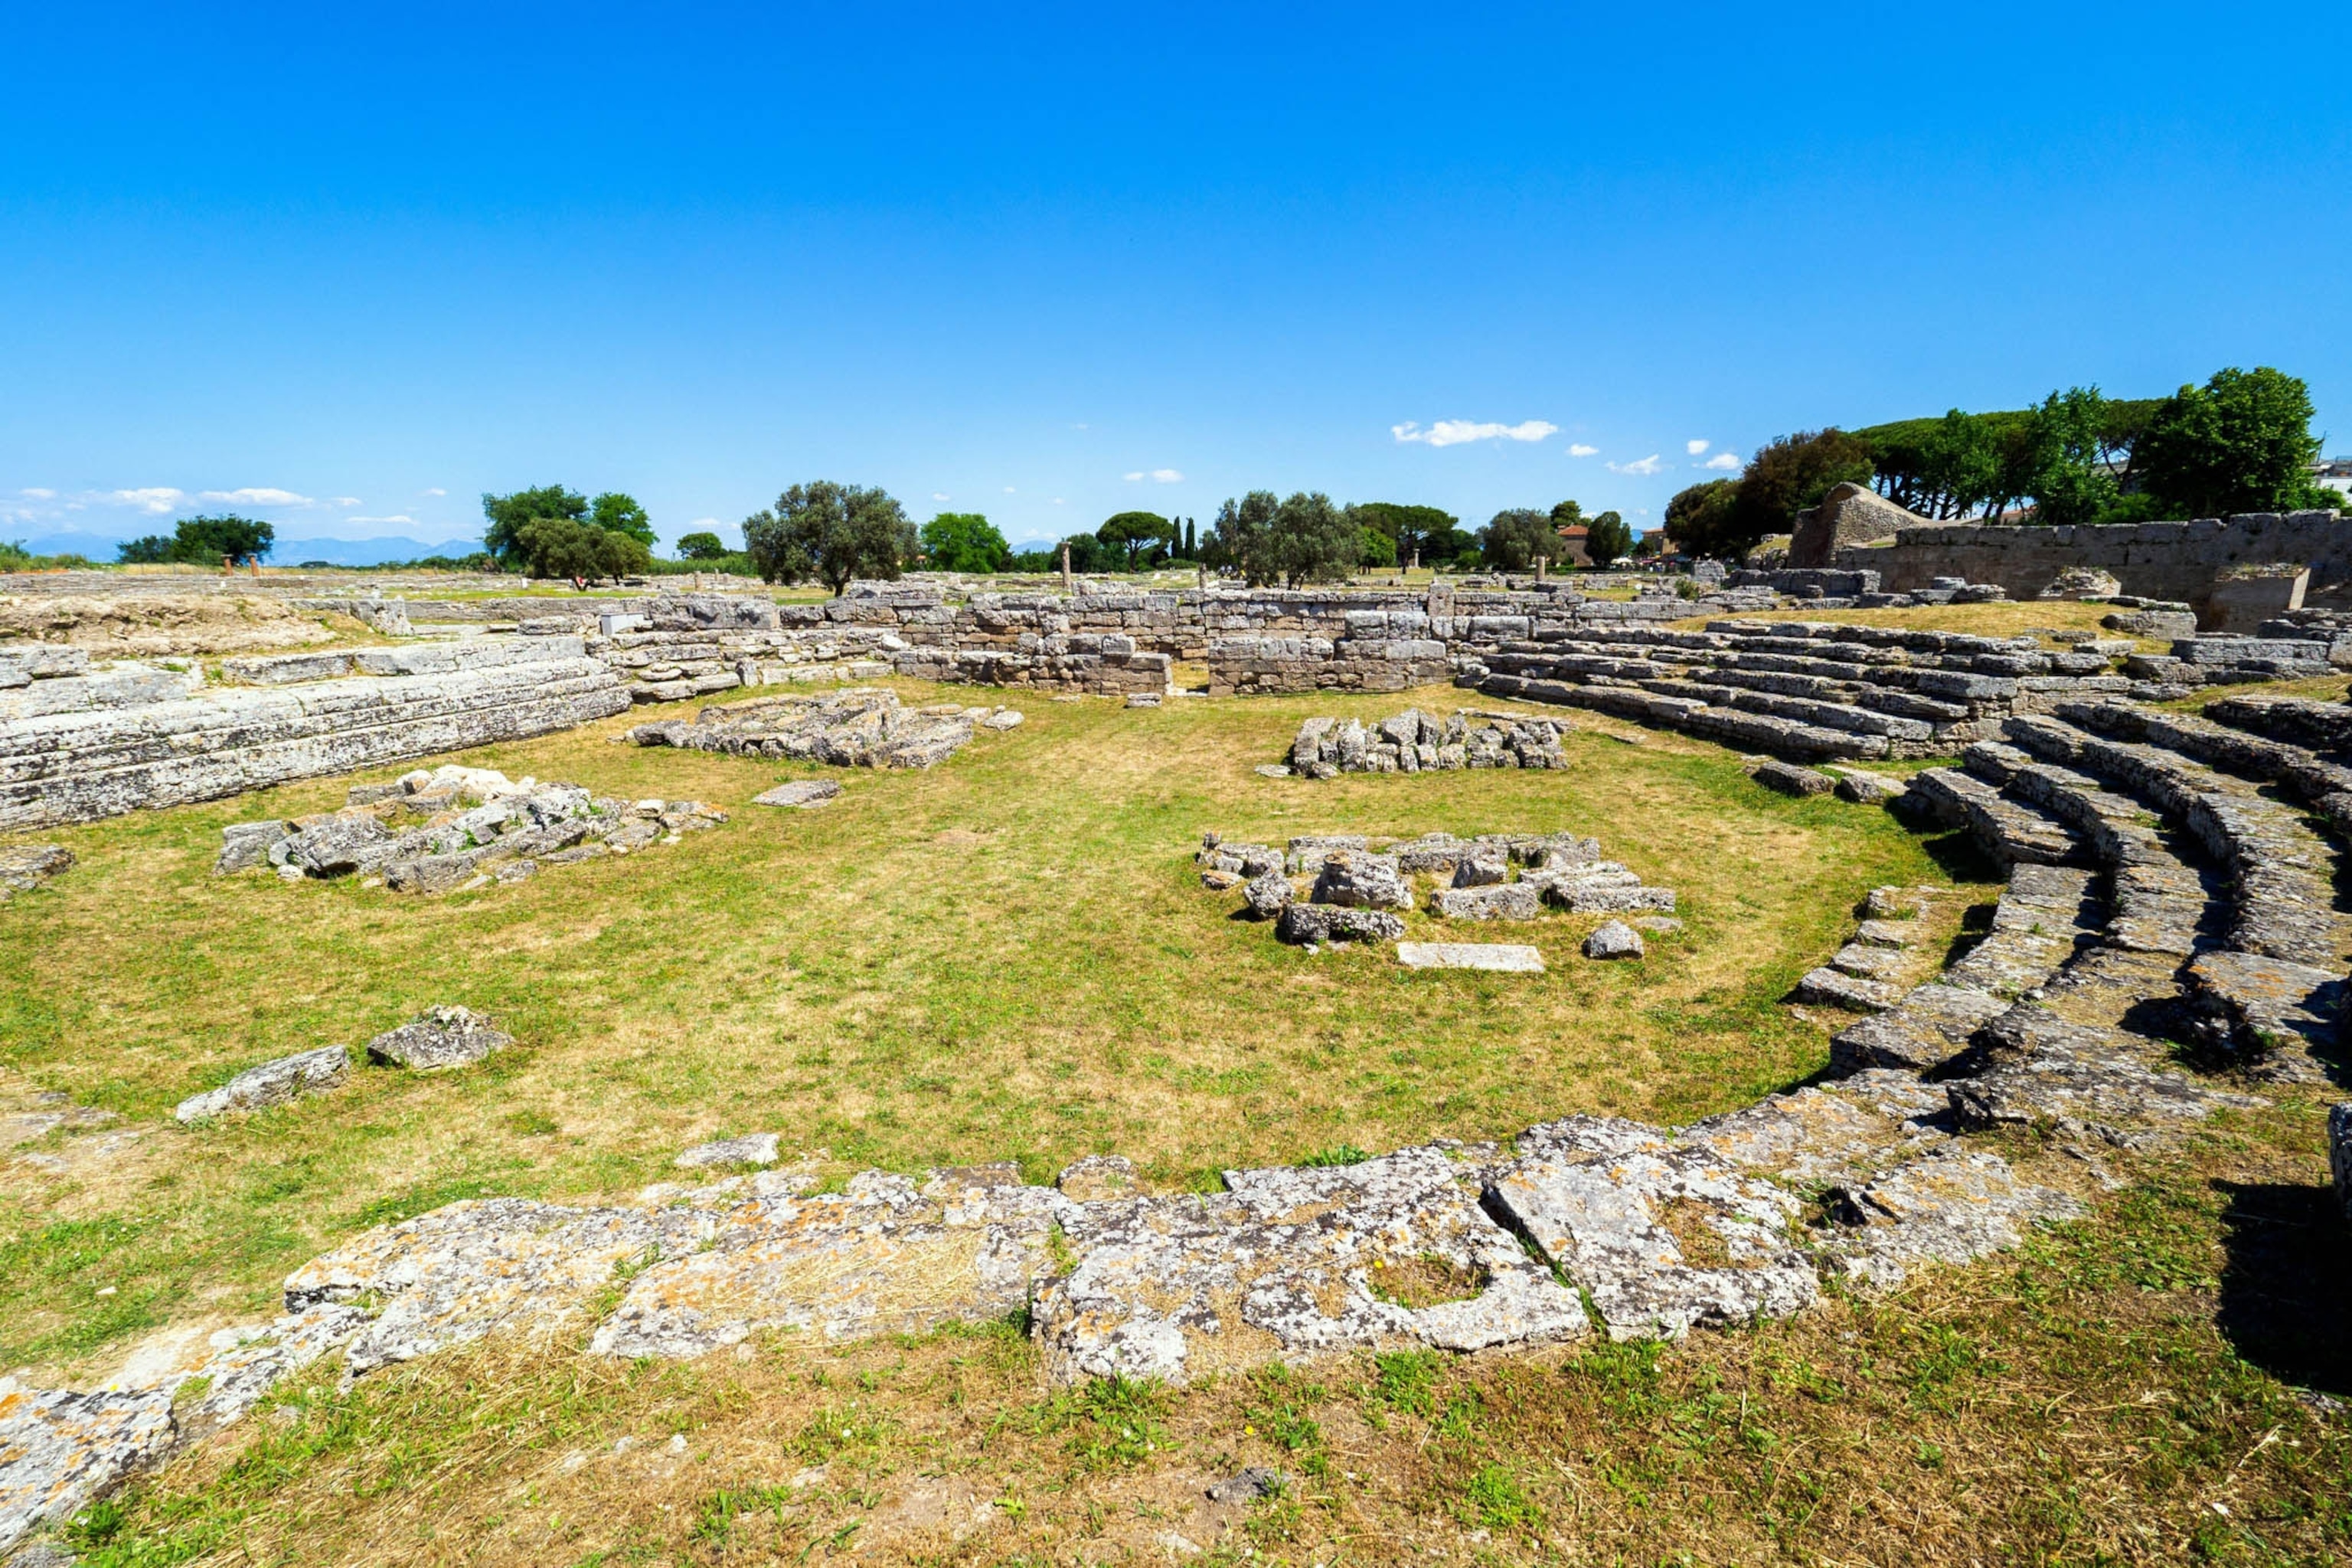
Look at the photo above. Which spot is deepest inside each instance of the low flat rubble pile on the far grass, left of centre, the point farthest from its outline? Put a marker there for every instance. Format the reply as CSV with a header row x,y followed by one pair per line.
x,y
864,728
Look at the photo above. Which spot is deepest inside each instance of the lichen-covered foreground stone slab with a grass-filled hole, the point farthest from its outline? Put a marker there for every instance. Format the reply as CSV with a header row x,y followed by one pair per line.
x,y
1290,1264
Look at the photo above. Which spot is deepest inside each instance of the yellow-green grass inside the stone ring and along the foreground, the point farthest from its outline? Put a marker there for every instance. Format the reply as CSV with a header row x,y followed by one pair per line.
x,y
1010,958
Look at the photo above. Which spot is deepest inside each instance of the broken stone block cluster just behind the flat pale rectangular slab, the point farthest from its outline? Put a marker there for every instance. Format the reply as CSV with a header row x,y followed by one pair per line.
x,y
1349,887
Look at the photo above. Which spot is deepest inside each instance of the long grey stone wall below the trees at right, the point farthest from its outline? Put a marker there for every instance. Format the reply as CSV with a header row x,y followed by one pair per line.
x,y
2158,561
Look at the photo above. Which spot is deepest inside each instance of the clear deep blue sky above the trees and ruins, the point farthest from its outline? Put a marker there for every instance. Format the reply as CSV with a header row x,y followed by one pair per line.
x,y
370,262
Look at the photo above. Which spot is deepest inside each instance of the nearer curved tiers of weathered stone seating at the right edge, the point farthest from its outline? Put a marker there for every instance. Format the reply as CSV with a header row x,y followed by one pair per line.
x,y
2212,913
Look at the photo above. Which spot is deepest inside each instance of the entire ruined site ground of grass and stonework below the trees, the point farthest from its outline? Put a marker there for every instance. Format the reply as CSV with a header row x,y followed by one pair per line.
x,y
1819,1066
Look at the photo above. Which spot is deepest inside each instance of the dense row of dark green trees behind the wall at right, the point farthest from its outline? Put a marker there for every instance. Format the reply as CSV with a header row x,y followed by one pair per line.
x,y
2240,443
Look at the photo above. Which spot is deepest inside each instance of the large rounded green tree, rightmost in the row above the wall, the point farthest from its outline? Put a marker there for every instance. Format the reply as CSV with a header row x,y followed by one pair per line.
x,y
2243,443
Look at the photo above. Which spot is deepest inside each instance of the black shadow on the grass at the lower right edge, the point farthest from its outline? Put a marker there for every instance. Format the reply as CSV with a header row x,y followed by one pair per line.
x,y
2287,1282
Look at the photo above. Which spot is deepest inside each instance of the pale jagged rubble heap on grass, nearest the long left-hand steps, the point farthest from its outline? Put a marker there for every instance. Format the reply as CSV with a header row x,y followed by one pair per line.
x,y
457,829
